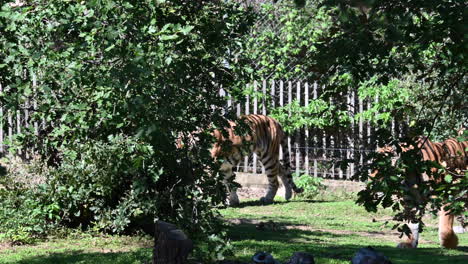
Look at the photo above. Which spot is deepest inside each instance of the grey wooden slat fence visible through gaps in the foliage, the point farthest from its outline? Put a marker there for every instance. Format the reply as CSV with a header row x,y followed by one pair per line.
x,y
313,151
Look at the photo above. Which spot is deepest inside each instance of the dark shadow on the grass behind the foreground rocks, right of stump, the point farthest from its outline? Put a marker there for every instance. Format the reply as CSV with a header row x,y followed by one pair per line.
x,y
326,246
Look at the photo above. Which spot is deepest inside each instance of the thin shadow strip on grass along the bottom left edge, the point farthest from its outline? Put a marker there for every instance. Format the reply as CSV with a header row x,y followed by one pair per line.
x,y
78,256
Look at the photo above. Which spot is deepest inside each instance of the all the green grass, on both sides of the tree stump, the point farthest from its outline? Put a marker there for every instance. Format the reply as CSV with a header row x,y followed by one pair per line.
x,y
331,230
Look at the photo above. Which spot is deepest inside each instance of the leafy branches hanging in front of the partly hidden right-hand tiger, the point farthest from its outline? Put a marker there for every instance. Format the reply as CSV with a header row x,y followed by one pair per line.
x,y
411,56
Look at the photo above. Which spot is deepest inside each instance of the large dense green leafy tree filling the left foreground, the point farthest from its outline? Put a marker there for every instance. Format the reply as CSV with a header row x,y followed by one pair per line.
x,y
118,82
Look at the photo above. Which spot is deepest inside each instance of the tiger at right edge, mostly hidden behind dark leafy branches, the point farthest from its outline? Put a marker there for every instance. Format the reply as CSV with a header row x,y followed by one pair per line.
x,y
452,155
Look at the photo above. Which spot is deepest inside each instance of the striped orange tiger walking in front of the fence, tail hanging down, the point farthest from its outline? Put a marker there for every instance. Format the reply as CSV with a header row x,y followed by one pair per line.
x,y
265,139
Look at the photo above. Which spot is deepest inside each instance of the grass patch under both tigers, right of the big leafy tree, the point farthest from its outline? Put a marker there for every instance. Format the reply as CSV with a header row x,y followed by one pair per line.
x,y
333,231
